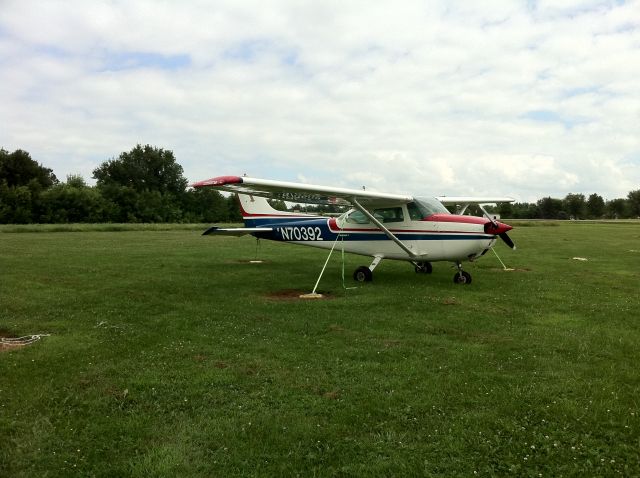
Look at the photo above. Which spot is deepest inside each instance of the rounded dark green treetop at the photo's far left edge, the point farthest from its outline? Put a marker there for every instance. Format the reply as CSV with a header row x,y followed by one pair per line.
x,y
18,169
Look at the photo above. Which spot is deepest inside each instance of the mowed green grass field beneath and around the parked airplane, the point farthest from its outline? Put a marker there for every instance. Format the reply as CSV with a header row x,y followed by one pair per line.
x,y
170,354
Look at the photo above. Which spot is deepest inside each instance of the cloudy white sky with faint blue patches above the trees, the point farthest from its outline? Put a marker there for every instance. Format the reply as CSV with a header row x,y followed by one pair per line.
x,y
521,98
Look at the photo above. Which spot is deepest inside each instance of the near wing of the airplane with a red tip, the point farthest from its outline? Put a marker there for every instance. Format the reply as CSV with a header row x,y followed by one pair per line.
x,y
299,192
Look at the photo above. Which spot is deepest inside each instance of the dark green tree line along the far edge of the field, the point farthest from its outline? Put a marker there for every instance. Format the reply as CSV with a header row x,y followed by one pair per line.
x,y
146,184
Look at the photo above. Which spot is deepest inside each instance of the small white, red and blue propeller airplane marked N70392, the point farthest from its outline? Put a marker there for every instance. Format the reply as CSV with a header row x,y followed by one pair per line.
x,y
383,226
